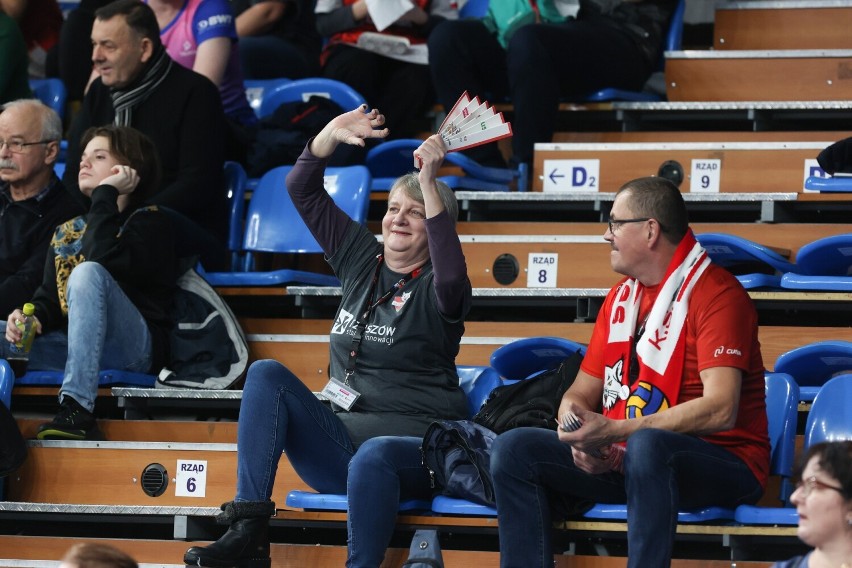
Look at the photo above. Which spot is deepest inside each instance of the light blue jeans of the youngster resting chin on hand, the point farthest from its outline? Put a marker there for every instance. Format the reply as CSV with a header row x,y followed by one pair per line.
x,y
105,331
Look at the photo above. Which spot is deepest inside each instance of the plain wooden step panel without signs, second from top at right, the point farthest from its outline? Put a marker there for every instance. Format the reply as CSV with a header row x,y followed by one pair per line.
x,y
759,75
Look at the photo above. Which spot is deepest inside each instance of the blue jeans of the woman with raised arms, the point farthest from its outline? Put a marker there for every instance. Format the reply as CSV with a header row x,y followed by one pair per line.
x,y
376,477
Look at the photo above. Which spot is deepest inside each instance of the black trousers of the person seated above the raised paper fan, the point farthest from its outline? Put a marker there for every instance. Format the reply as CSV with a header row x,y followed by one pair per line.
x,y
544,63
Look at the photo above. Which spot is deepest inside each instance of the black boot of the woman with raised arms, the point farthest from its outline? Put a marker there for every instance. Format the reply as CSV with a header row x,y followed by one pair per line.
x,y
245,545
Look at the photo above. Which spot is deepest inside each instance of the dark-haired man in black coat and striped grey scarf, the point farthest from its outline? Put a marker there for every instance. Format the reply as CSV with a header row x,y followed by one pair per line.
x,y
179,110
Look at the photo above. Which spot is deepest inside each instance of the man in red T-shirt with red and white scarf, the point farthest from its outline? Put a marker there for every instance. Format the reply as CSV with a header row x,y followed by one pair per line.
x,y
668,410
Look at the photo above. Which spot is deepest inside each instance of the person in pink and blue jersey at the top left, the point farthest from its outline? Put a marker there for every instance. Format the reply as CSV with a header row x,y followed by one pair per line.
x,y
200,35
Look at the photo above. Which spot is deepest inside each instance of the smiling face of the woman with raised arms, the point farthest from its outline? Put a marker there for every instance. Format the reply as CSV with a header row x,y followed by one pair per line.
x,y
404,228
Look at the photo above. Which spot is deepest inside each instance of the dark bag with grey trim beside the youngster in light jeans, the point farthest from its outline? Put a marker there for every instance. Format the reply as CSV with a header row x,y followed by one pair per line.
x,y
208,347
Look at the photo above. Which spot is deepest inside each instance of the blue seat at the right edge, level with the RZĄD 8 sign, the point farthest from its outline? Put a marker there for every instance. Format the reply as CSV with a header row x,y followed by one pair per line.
x,y
824,264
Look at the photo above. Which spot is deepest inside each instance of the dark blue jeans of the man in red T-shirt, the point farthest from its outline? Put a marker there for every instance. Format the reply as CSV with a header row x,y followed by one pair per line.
x,y
664,471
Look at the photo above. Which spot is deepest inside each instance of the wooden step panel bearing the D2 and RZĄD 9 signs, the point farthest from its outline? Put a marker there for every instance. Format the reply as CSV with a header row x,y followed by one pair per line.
x,y
705,168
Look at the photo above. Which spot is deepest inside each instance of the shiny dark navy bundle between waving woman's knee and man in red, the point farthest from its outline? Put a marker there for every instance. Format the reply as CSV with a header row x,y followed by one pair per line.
x,y
457,454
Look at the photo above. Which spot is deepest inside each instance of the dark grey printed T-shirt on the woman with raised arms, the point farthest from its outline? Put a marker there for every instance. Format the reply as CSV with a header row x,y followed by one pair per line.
x,y
405,369
